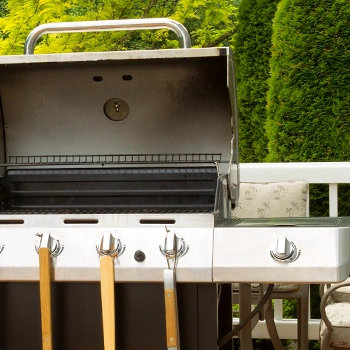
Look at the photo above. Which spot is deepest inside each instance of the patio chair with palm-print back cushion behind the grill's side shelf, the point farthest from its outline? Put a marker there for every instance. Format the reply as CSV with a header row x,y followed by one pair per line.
x,y
272,200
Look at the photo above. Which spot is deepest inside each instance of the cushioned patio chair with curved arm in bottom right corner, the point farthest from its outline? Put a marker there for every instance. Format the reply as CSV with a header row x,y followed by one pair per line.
x,y
335,317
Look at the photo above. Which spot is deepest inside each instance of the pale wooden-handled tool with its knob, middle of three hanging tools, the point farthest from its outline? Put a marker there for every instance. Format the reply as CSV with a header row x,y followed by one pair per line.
x,y
109,249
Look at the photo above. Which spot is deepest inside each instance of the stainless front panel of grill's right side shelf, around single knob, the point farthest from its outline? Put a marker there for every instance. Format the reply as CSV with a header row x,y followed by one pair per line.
x,y
242,254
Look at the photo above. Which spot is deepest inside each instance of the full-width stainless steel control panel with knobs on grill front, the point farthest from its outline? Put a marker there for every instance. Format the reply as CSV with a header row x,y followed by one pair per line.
x,y
205,253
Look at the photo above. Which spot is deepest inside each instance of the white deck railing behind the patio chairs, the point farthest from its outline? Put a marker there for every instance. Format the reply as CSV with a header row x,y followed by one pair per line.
x,y
332,173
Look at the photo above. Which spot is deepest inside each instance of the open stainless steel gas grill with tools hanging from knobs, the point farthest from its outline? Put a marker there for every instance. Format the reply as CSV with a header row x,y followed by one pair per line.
x,y
123,166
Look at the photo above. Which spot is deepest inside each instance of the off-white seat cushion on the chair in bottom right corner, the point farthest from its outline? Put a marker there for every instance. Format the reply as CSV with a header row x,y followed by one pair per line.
x,y
339,316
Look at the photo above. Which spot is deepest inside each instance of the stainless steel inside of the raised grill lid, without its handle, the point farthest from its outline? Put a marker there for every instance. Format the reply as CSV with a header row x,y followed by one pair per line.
x,y
190,100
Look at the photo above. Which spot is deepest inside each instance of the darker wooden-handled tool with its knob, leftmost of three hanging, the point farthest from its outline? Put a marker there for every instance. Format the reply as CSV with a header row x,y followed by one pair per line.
x,y
47,247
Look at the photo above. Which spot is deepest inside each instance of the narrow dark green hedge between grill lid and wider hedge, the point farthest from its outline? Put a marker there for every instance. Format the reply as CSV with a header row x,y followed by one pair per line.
x,y
252,46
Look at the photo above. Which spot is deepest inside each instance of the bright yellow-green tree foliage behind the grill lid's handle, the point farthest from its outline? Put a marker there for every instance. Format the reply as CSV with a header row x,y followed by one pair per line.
x,y
209,22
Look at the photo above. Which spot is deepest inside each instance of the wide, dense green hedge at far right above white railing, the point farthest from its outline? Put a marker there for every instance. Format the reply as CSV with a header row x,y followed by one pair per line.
x,y
309,92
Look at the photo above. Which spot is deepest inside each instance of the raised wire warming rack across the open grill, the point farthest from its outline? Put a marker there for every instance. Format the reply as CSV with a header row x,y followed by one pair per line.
x,y
164,158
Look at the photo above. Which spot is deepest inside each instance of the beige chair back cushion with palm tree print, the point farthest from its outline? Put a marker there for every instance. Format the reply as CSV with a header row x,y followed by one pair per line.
x,y
272,199
